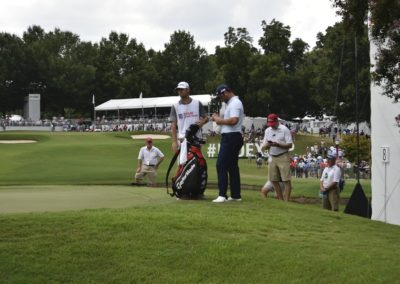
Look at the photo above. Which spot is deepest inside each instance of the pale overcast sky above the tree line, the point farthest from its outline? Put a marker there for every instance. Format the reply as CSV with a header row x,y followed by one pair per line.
x,y
153,21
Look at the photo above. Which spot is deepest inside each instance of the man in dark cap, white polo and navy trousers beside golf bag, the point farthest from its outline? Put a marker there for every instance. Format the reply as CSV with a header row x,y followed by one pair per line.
x,y
231,143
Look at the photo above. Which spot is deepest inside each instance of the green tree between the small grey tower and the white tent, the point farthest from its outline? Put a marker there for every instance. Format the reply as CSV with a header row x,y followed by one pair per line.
x,y
70,74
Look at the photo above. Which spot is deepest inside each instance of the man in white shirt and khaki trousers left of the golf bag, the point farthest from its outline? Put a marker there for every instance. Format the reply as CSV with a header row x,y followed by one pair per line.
x,y
149,159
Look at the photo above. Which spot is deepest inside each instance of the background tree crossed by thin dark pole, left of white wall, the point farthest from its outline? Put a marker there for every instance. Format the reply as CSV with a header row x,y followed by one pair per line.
x,y
331,67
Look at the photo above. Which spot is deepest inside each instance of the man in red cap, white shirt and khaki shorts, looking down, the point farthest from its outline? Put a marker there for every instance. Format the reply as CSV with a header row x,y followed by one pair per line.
x,y
278,140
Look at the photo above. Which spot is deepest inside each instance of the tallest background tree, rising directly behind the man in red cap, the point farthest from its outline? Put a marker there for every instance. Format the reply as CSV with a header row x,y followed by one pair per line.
x,y
278,81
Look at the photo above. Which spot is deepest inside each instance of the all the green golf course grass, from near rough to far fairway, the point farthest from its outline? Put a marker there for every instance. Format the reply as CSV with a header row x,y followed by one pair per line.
x,y
68,214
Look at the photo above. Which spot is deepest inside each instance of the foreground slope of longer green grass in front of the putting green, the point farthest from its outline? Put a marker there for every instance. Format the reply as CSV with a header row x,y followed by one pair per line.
x,y
255,241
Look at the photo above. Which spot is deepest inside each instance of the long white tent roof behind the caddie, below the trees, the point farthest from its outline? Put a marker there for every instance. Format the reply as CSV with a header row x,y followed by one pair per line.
x,y
148,102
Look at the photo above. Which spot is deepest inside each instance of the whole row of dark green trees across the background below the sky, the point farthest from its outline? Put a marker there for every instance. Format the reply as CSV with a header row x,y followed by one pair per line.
x,y
280,76
